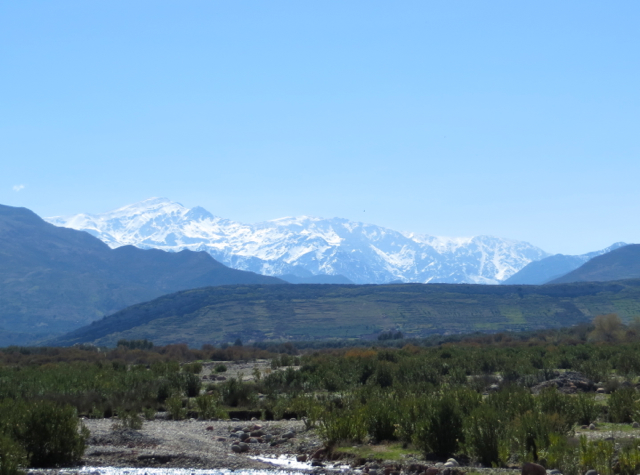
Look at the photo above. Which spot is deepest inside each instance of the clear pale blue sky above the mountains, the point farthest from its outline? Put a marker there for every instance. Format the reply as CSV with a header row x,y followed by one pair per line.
x,y
450,118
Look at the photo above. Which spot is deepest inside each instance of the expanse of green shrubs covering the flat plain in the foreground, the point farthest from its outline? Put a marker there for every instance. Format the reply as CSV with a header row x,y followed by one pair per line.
x,y
486,398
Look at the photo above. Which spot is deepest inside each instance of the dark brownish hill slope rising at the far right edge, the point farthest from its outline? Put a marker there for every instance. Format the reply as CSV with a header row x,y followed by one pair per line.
x,y
622,263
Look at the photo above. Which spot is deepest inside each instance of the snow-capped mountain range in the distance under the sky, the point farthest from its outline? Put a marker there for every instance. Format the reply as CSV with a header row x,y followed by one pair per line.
x,y
306,246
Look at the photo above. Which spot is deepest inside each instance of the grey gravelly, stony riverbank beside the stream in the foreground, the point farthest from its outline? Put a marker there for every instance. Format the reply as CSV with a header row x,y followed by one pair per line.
x,y
195,444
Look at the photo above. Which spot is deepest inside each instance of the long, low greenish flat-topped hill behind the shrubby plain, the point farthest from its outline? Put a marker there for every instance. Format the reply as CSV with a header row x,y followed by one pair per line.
x,y
279,312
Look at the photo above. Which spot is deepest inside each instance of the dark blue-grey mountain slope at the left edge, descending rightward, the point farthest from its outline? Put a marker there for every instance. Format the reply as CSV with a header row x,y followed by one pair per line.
x,y
57,279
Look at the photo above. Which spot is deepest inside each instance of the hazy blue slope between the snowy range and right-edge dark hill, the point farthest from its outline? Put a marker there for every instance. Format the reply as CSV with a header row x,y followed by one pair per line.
x,y
552,267
